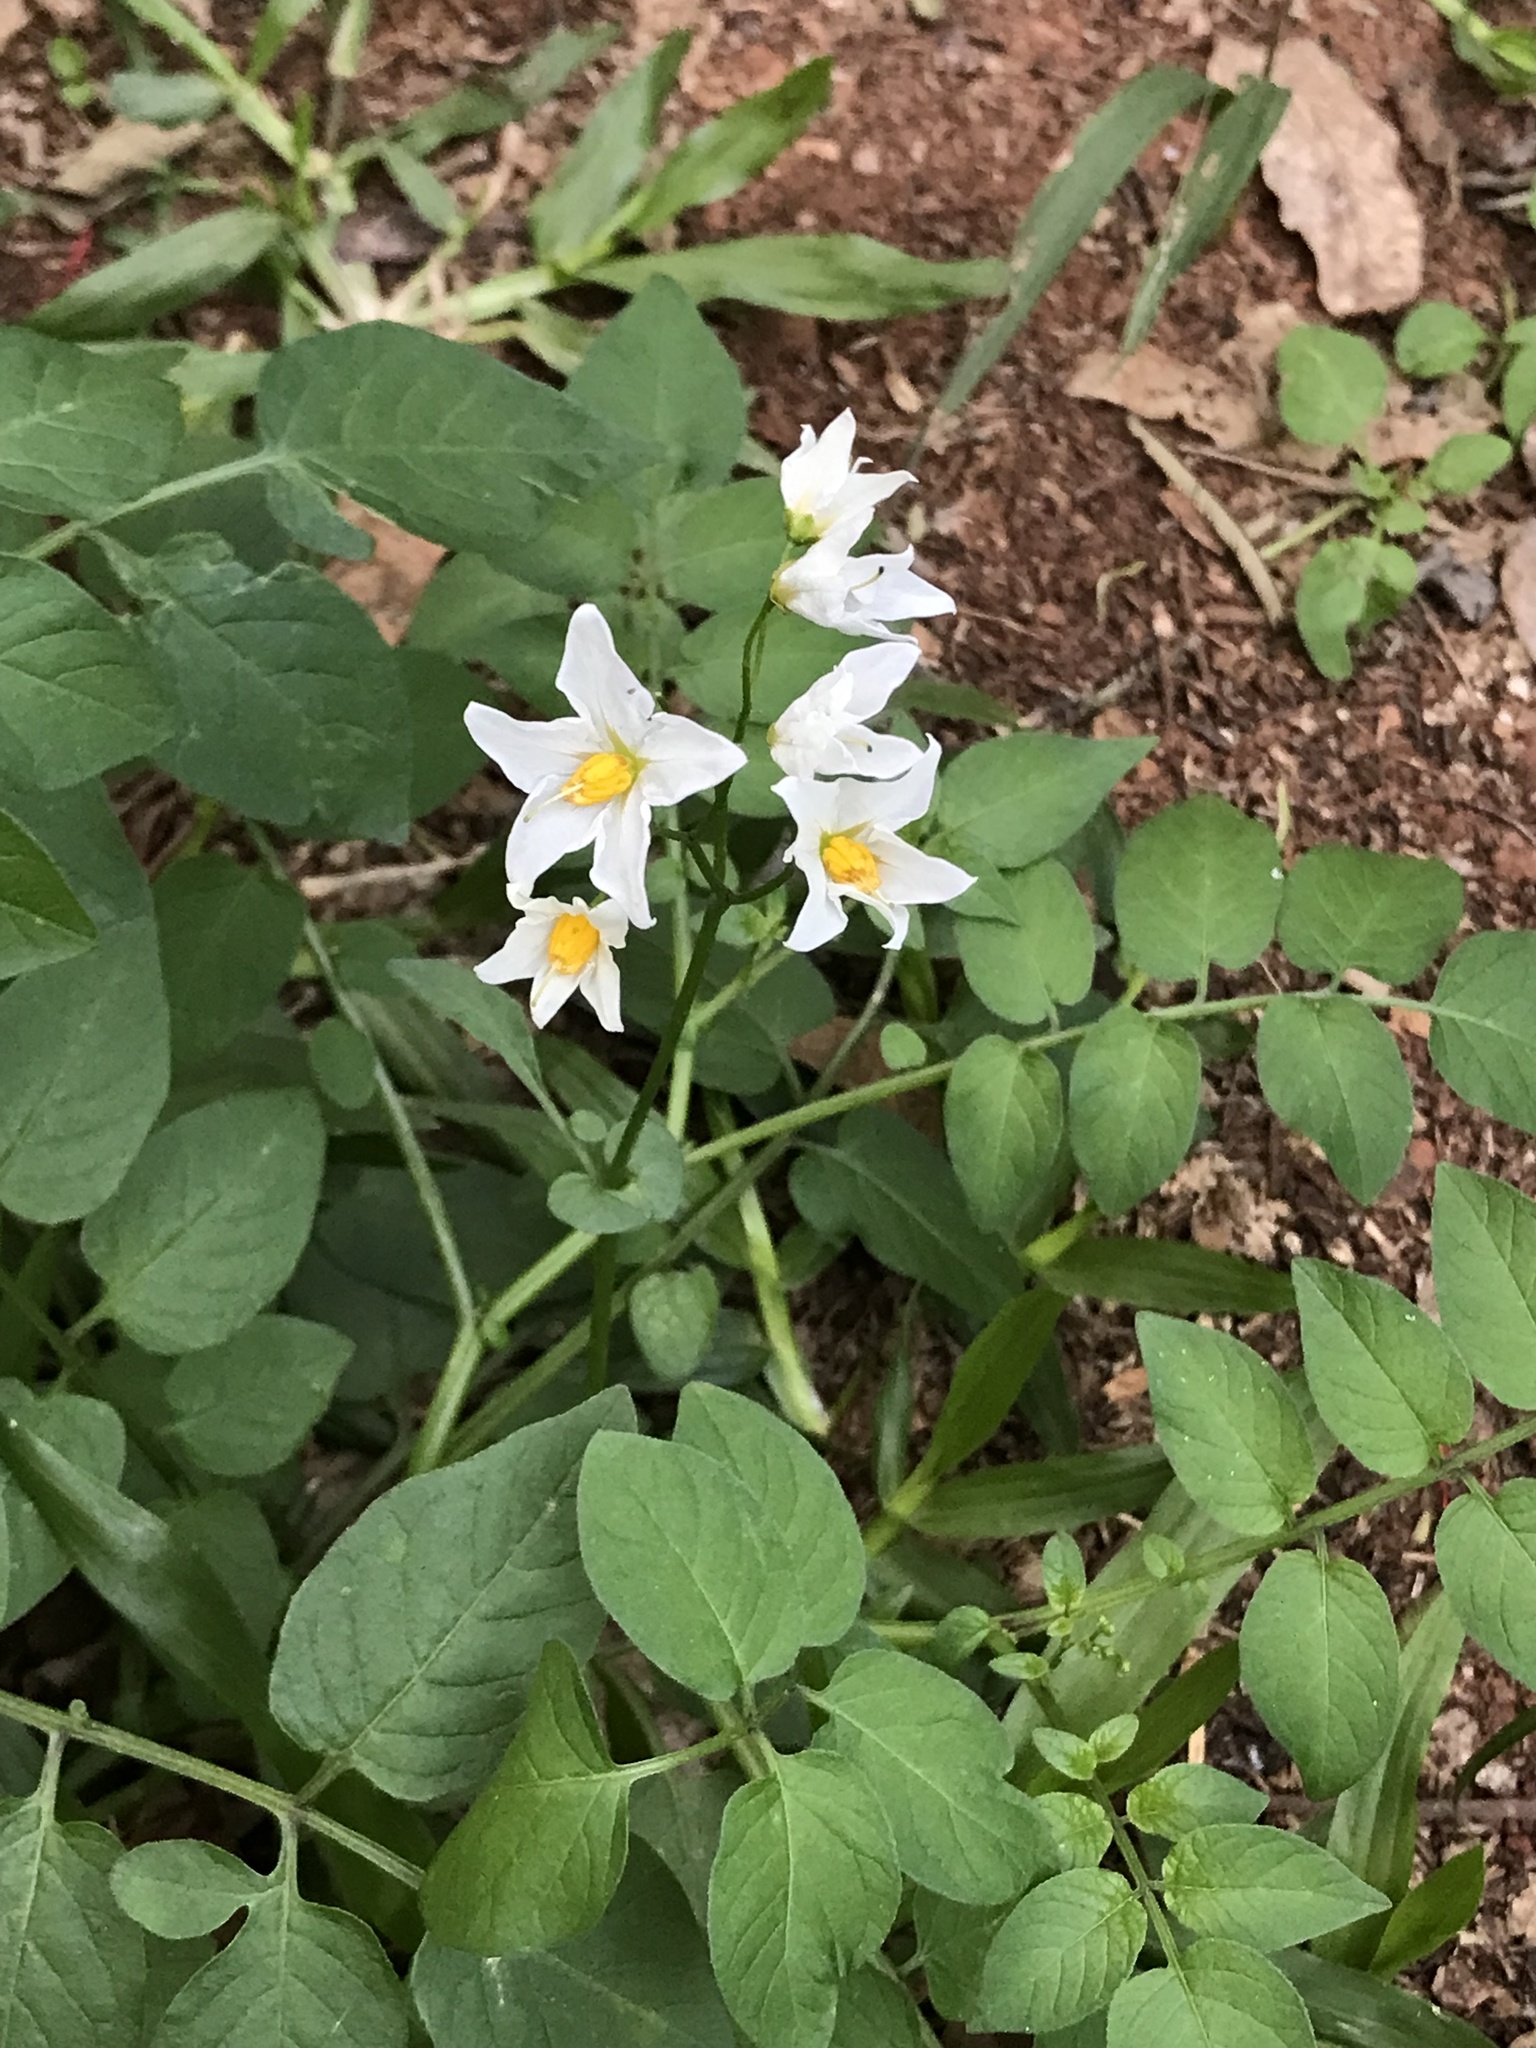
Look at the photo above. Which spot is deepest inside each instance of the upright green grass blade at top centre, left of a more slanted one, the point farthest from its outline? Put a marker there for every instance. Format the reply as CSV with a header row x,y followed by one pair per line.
x,y
603,163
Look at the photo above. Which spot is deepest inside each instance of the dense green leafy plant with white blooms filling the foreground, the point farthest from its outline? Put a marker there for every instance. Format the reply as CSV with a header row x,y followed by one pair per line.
x,y
583,1707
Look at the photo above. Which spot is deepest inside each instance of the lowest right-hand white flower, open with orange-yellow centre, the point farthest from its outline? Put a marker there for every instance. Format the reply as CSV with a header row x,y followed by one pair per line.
x,y
847,847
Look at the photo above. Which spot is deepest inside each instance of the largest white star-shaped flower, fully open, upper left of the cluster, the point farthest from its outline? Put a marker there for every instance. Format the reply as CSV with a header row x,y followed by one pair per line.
x,y
595,779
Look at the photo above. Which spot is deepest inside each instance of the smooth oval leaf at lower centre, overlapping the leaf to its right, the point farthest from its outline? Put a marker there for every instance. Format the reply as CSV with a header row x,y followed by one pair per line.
x,y
685,1564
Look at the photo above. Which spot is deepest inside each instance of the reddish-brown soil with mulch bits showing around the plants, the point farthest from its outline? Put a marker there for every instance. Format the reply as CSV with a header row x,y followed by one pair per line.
x,y
939,138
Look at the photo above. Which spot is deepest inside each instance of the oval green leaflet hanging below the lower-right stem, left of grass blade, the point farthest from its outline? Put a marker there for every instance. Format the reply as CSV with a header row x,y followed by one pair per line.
x,y
1320,1664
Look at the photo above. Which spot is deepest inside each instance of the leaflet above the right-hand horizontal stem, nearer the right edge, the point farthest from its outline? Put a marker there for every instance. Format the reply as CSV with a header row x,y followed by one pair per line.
x,y
1390,914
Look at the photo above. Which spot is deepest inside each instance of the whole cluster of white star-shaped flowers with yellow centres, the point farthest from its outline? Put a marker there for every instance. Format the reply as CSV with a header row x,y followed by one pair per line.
x,y
597,777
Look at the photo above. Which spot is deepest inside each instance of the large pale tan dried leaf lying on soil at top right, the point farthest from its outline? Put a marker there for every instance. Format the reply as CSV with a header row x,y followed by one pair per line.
x,y
1332,165
